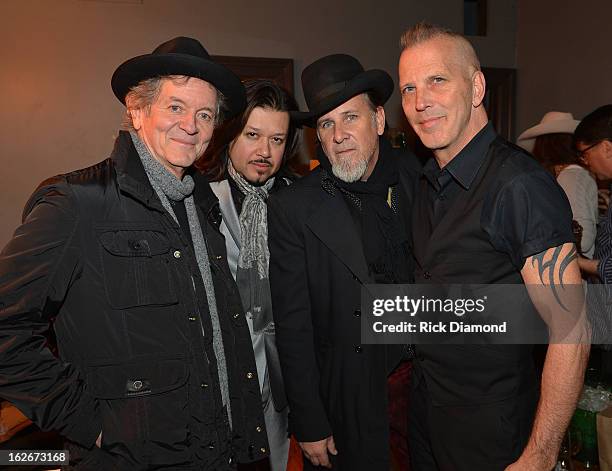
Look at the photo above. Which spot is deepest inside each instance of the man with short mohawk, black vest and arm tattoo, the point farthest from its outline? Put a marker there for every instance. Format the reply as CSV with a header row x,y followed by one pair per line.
x,y
485,212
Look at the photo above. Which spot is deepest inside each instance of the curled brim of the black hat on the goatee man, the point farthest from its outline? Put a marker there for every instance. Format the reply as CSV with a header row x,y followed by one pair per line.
x,y
375,80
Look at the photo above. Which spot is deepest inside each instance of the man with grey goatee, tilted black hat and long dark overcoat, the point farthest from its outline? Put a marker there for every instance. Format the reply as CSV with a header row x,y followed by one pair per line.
x,y
343,225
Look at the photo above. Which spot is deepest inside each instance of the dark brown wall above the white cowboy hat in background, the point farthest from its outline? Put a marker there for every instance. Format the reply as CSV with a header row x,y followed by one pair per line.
x,y
564,57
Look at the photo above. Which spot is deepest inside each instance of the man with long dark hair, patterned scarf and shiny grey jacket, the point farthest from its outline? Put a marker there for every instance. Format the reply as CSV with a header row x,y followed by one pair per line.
x,y
248,159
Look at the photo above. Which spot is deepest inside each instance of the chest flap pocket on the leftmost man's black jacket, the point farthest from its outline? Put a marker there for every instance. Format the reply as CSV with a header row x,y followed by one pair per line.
x,y
136,267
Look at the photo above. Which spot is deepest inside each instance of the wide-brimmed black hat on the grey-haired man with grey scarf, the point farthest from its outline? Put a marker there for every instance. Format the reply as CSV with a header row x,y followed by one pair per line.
x,y
180,56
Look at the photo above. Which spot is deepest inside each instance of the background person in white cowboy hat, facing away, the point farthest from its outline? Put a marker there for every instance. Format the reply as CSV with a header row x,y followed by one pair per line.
x,y
551,143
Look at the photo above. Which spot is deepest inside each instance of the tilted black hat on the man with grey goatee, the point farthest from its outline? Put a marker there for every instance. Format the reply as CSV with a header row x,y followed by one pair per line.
x,y
330,81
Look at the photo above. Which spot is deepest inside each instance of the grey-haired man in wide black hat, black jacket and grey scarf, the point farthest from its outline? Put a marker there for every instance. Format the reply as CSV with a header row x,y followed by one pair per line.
x,y
155,367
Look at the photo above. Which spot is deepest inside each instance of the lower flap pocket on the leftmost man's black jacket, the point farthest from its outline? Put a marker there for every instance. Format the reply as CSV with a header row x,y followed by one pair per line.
x,y
144,408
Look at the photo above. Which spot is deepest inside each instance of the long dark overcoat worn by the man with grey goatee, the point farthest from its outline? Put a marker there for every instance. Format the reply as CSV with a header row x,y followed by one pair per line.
x,y
334,384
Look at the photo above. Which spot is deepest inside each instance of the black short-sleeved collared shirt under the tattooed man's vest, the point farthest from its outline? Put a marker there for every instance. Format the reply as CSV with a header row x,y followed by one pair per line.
x,y
522,219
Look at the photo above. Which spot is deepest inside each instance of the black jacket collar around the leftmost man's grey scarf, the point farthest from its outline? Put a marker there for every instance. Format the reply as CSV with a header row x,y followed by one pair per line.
x,y
132,178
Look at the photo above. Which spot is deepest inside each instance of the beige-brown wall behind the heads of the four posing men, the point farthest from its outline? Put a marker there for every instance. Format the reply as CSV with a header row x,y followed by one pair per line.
x,y
58,112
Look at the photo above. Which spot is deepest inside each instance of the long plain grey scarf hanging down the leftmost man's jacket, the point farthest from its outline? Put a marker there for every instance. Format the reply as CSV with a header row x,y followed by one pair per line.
x,y
168,187
